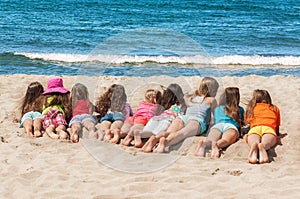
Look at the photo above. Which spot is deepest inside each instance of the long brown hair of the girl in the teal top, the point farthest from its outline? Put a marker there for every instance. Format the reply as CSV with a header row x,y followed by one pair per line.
x,y
231,100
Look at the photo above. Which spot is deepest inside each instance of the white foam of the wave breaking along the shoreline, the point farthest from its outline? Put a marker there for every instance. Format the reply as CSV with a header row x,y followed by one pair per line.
x,y
198,59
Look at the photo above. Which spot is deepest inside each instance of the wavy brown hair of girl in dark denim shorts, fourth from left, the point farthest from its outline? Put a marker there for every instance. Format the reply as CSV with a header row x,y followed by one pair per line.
x,y
113,98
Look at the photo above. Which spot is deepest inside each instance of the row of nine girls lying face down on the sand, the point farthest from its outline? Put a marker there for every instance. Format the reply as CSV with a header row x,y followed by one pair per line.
x,y
163,118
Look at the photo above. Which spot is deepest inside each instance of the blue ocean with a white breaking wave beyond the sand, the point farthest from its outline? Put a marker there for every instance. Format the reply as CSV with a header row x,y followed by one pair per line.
x,y
150,38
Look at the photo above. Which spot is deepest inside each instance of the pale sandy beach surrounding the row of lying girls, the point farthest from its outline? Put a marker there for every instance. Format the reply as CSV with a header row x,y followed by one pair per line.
x,y
46,168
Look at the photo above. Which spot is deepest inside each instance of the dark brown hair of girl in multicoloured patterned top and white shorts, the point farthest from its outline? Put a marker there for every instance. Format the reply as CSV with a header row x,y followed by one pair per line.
x,y
173,94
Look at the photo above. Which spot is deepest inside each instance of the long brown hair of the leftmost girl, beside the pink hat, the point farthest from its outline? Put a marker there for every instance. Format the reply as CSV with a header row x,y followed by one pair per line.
x,y
32,101
